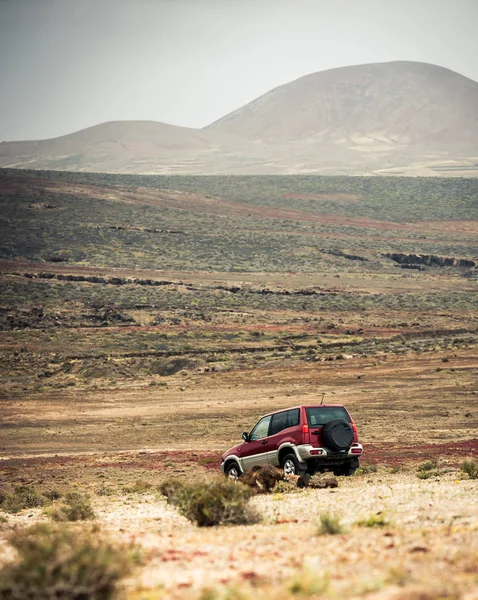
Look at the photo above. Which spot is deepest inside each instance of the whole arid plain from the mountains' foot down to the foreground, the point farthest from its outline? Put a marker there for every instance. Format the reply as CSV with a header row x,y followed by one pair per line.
x,y
147,321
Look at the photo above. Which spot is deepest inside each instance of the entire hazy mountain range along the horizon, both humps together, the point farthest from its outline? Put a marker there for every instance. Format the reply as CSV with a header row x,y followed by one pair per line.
x,y
398,117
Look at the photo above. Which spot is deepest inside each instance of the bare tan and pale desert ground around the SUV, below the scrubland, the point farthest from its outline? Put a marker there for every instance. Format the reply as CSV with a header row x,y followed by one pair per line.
x,y
410,413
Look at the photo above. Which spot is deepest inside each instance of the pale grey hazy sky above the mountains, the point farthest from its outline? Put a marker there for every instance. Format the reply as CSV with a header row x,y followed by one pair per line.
x,y
70,64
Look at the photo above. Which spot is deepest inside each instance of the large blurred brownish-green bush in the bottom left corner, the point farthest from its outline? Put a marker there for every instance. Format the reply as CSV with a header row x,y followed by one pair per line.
x,y
55,562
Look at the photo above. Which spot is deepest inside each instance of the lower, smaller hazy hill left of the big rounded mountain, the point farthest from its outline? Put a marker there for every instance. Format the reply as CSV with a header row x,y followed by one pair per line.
x,y
125,147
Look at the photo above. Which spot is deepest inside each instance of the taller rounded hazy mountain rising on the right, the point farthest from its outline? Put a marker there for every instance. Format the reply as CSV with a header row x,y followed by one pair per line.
x,y
388,103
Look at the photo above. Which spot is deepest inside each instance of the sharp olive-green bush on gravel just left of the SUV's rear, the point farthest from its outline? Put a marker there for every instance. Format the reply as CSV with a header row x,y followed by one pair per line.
x,y
217,501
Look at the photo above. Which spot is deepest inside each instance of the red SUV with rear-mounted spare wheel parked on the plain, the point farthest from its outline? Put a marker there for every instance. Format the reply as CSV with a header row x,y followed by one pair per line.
x,y
302,439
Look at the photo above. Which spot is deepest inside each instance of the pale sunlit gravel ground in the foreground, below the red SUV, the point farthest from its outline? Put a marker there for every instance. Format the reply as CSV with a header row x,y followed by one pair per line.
x,y
428,547
